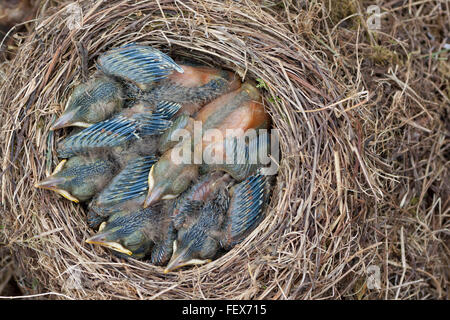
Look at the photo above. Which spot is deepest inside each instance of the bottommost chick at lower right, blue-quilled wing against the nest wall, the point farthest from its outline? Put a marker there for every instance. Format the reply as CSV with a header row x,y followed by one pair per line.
x,y
224,220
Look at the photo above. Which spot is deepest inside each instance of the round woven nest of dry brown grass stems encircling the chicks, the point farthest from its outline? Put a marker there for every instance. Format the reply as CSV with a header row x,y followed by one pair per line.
x,y
317,238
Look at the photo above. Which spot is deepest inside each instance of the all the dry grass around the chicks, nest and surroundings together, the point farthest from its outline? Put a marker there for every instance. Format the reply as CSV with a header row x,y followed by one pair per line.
x,y
364,123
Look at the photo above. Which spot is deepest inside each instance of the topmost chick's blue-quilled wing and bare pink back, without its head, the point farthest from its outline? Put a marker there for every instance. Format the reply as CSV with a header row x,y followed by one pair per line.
x,y
160,78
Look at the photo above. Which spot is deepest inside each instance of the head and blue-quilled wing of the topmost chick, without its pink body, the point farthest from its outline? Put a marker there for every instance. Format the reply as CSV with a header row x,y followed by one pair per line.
x,y
103,96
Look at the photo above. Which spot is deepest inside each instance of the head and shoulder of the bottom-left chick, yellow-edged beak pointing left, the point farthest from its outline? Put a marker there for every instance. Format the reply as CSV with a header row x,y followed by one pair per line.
x,y
136,232
